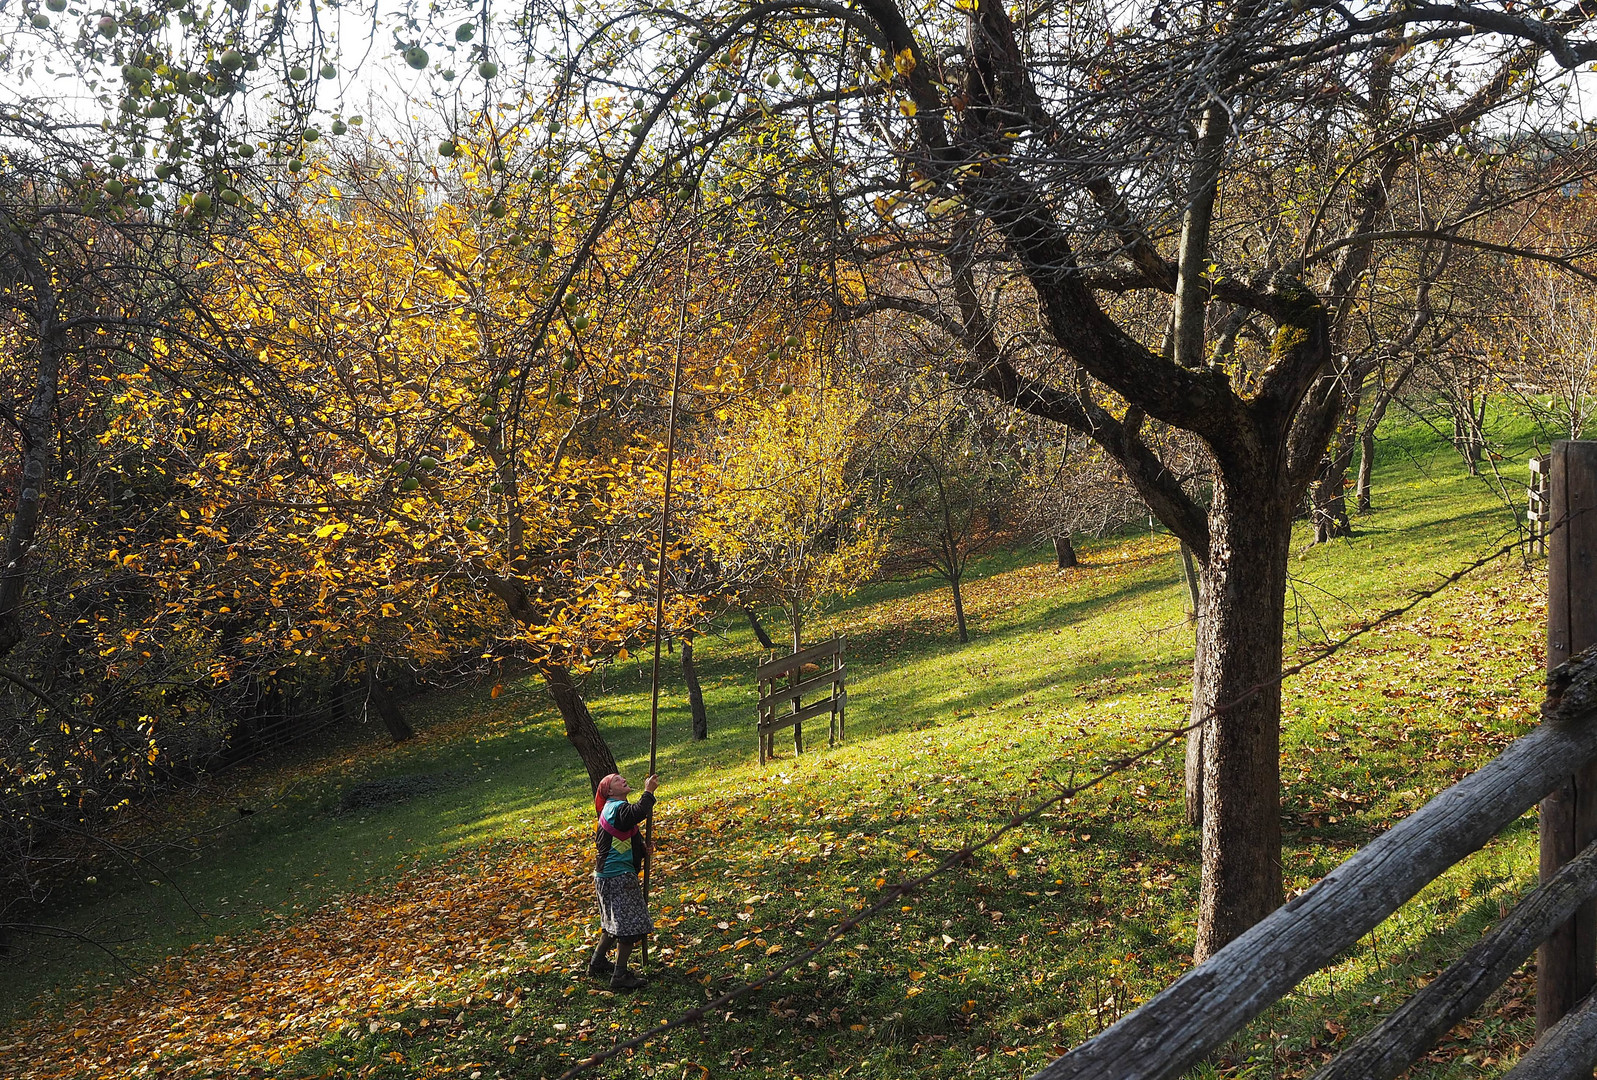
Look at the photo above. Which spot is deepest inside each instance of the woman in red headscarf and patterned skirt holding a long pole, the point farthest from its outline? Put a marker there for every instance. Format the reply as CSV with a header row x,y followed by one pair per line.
x,y
624,915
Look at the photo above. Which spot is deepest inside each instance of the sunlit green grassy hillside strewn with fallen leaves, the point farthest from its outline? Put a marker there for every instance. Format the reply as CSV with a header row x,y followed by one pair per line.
x,y
445,934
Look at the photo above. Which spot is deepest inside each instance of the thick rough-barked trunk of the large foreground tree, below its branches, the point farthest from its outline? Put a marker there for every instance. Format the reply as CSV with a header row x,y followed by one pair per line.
x,y
1238,689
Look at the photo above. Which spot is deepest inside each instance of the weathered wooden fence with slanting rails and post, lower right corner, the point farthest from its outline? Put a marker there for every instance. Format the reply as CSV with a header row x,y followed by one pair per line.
x,y
1555,764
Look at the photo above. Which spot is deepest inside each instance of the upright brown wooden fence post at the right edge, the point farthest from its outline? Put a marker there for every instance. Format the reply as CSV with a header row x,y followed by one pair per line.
x,y
1567,964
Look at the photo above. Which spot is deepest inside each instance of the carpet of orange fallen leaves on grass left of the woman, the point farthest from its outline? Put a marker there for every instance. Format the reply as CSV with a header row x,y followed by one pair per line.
x,y
263,998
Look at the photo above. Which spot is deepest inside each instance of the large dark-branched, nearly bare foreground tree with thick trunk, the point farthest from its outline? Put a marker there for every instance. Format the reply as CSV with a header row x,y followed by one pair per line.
x,y
1079,167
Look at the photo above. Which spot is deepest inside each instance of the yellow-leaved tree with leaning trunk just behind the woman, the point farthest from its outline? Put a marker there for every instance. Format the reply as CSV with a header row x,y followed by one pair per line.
x,y
445,477
